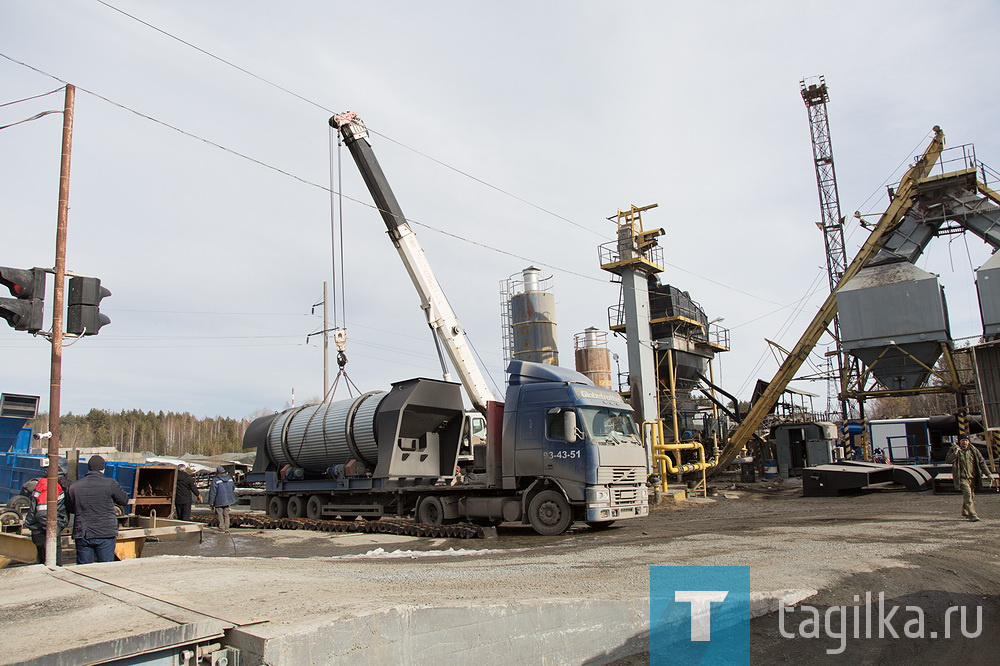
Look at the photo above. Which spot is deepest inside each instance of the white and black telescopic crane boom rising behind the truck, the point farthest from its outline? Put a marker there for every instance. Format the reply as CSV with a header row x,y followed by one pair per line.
x,y
440,316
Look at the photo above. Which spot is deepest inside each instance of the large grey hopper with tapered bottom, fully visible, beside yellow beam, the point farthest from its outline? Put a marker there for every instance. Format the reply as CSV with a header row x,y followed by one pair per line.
x,y
893,318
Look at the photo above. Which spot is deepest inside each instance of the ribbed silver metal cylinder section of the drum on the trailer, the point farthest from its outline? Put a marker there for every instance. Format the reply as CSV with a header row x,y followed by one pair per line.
x,y
332,433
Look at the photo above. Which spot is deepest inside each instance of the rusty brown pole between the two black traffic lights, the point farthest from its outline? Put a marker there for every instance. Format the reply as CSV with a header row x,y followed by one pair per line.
x,y
55,382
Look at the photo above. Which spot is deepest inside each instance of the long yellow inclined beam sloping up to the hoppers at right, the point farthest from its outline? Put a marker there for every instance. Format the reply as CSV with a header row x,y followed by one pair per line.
x,y
897,209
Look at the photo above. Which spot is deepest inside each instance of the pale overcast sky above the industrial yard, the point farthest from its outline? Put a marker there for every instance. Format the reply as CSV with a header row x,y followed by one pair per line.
x,y
509,131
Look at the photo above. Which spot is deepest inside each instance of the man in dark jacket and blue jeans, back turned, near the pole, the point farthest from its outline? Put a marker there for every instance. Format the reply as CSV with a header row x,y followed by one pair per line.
x,y
92,500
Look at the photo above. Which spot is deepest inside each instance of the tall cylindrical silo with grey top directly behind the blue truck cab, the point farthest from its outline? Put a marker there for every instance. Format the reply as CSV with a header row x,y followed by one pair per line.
x,y
531,314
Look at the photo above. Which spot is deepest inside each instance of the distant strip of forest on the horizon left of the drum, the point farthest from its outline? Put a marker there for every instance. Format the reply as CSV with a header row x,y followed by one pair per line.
x,y
163,433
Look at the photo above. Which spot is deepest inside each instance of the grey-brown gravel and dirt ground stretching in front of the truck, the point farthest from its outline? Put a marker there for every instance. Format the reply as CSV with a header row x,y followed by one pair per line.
x,y
913,547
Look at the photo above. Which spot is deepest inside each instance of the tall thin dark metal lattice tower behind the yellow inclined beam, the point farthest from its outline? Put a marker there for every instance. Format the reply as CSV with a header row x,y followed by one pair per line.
x,y
815,96
